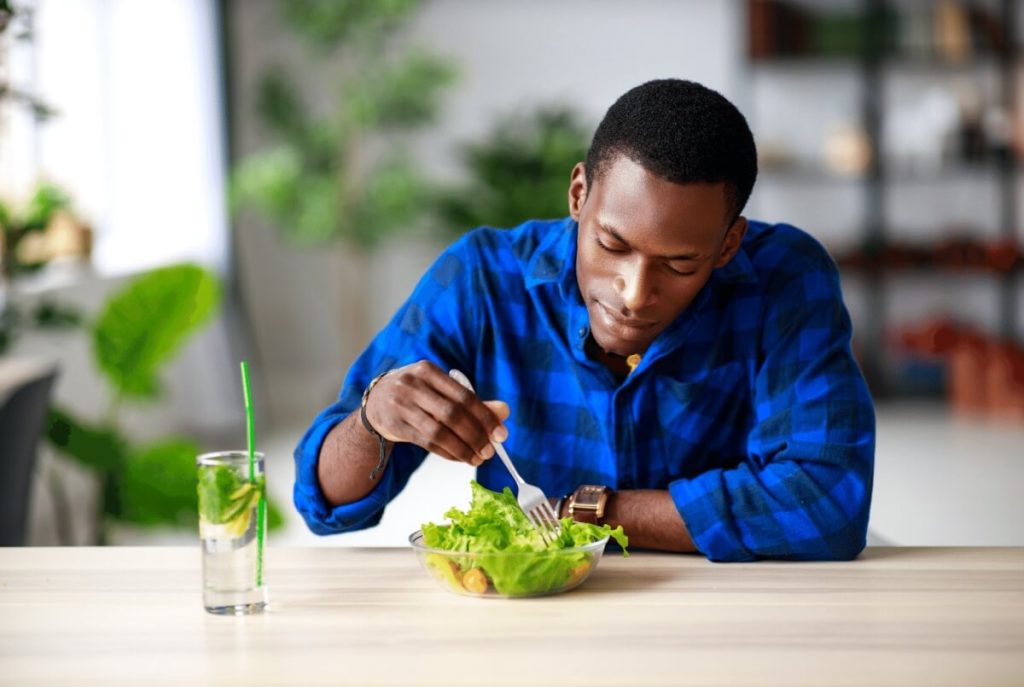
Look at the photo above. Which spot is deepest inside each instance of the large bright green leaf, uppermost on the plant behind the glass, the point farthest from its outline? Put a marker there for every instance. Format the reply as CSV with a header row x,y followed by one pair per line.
x,y
146,324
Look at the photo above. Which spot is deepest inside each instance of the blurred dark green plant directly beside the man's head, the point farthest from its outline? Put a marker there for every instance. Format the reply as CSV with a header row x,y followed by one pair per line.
x,y
521,171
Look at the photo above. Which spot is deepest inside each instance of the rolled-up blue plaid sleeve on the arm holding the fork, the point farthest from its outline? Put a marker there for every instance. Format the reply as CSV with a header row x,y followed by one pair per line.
x,y
438,324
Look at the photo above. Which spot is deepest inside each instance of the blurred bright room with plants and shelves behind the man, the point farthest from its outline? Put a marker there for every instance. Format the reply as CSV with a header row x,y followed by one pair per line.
x,y
187,184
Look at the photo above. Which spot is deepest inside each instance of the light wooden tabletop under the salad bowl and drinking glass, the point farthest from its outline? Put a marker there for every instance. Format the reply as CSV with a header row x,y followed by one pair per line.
x,y
362,617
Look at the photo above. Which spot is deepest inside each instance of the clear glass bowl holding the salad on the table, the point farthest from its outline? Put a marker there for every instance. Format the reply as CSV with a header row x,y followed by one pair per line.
x,y
509,574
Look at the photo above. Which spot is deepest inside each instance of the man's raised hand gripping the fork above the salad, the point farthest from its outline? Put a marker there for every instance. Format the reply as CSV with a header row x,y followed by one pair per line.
x,y
421,405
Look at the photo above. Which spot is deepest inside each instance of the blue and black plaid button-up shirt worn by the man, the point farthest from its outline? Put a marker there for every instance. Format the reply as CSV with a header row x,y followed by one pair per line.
x,y
749,409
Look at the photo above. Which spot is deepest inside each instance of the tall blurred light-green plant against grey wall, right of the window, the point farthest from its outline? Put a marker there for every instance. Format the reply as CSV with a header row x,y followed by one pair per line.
x,y
342,173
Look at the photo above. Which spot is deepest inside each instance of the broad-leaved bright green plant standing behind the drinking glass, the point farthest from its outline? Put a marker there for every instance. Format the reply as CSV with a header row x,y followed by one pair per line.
x,y
139,331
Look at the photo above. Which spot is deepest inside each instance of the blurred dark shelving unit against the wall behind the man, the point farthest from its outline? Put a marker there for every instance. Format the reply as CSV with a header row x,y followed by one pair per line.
x,y
873,62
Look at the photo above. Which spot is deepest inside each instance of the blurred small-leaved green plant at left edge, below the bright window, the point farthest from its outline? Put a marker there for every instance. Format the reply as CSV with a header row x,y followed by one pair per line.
x,y
16,227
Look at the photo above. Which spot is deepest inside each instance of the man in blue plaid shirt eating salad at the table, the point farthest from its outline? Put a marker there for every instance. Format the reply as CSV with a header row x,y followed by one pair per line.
x,y
668,365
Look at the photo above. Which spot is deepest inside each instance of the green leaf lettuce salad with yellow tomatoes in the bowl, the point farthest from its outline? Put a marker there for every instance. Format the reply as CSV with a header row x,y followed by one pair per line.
x,y
493,545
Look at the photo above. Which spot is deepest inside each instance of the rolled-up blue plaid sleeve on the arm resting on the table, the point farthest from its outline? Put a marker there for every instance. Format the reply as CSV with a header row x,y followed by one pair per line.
x,y
803,491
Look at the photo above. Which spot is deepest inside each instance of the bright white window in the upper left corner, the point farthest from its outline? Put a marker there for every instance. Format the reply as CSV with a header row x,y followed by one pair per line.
x,y
138,139
